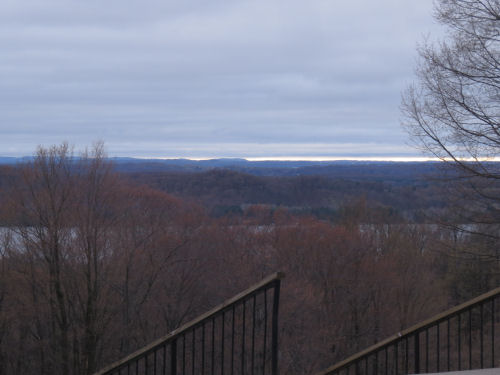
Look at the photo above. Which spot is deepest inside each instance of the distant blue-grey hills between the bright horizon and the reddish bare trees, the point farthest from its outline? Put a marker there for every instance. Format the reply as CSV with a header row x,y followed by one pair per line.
x,y
321,188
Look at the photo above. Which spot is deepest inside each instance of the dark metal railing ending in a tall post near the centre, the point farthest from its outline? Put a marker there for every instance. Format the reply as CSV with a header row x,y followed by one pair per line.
x,y
235,337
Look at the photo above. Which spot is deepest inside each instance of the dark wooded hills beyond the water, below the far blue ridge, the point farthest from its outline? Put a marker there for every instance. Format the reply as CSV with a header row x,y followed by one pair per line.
x,y
321,191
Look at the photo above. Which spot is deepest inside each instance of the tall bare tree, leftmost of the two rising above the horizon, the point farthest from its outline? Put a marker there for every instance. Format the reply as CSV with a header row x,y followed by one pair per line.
x,y
43,206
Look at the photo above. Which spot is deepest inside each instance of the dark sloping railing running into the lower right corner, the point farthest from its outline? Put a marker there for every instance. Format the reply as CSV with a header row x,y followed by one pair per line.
x,y
461,338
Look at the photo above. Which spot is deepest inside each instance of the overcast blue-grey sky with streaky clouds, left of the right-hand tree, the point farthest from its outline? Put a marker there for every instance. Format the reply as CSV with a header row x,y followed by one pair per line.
x,y
188,78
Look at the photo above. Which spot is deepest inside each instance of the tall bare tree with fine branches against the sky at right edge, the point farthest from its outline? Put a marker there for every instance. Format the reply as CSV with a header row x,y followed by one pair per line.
x,y
453,112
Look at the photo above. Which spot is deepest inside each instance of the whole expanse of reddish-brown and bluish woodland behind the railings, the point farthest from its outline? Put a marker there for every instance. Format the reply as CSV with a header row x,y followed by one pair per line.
x,y
96,262
